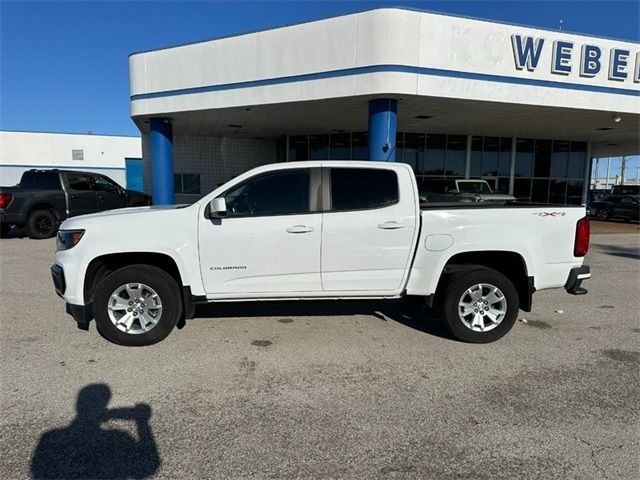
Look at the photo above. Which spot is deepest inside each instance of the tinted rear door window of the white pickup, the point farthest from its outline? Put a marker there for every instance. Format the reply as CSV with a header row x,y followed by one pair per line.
x,y
363,188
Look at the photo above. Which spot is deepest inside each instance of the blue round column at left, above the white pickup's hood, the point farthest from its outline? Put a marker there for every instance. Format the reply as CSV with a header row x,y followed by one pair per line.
x,y
161,134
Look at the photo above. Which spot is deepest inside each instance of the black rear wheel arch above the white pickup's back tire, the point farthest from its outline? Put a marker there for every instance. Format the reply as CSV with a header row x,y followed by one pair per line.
x,y
511,264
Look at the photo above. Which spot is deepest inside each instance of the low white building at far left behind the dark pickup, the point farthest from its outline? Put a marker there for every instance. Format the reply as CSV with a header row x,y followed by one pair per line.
x,y
21,151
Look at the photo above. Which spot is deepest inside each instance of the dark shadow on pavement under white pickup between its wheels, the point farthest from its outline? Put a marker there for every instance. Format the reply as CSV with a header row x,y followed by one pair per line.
x,y
409,312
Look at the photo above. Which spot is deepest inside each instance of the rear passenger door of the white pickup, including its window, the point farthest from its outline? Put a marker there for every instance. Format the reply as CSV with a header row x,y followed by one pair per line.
x,y
369,226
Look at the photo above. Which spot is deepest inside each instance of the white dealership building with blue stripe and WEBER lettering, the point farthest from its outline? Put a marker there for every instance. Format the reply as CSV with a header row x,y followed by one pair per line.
x,y
524,108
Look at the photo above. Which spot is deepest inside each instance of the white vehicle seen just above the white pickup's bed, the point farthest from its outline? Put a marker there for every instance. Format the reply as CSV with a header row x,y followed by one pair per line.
x,y
460,190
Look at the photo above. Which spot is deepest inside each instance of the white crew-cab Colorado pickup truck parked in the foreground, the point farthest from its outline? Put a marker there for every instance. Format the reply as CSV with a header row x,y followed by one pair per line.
x,y
317,230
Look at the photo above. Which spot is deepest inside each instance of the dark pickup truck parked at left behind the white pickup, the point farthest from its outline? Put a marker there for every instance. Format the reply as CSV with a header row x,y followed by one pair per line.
x,y
44,198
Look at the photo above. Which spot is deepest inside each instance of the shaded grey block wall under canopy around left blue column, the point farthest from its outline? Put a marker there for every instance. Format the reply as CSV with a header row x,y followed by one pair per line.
x,y
216,159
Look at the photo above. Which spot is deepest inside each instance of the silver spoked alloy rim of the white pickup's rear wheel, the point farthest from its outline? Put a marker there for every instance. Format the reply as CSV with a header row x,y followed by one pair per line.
x,y
482,307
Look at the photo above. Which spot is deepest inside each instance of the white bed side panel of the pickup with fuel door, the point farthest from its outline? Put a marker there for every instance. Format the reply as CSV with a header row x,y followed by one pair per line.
x,y
543,236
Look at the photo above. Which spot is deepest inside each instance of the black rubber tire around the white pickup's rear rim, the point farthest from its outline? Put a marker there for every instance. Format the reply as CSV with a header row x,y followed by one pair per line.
x,y
451,292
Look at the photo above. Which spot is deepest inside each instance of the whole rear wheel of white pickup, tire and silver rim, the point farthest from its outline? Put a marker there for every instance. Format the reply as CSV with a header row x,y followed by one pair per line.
x,y
479,306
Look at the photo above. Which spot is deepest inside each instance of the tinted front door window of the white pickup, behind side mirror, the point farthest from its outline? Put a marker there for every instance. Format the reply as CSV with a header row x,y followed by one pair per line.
x,y
284,192
